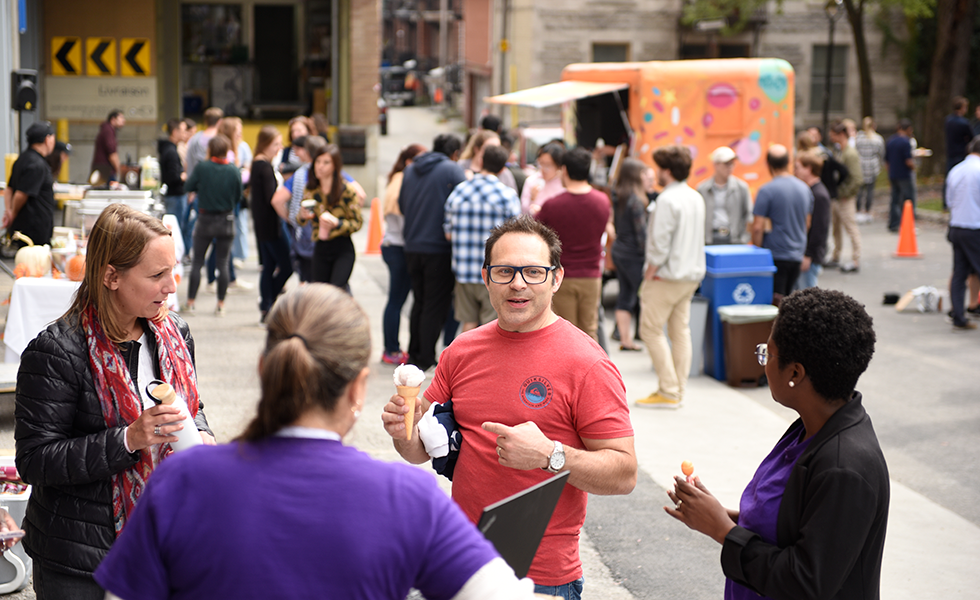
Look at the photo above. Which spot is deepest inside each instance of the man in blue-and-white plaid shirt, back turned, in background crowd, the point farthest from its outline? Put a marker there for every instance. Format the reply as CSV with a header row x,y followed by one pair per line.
x,y
474,208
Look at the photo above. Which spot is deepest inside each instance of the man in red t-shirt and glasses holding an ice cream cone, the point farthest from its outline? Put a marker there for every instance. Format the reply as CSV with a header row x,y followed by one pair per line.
x,y
531,395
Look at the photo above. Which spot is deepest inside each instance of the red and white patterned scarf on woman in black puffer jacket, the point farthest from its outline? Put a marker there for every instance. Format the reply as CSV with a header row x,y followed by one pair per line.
x,y
122,401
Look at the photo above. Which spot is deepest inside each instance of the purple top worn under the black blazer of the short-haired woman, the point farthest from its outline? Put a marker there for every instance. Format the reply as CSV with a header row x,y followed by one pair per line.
x,y
759,507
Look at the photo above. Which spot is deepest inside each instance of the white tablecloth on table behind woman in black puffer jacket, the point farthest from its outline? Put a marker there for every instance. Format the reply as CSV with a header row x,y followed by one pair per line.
x,y
34,303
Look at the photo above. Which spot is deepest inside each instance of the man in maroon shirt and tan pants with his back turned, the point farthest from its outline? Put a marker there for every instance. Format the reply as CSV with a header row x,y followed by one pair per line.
x,y
579,216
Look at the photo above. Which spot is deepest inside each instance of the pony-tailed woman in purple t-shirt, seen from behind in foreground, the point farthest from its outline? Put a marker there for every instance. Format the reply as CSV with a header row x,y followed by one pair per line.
x,y
290,511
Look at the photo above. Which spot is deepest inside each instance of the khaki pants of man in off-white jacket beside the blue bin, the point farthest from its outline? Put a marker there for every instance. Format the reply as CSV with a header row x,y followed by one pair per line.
x,y
668,303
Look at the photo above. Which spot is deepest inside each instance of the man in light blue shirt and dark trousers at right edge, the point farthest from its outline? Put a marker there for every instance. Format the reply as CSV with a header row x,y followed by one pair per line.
x,y
963,199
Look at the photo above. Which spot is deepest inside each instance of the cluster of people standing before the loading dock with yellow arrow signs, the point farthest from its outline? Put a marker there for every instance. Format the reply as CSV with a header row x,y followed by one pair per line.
x,y
304,206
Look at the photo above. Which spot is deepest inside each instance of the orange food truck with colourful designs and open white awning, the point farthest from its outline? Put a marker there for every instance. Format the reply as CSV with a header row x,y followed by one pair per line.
x,y
744,103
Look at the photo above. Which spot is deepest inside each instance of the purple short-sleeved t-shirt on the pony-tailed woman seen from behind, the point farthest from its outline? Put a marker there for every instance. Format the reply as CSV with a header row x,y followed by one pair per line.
x,y
291,518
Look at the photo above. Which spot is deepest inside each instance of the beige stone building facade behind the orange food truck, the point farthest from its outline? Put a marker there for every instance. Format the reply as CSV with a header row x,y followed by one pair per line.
x,y
544,37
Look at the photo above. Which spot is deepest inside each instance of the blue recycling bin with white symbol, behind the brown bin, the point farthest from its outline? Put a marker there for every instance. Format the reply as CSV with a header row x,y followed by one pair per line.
x,y
736,274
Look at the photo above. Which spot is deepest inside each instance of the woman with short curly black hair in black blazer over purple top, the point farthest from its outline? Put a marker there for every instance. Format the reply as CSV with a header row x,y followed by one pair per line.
x,y
811,523
